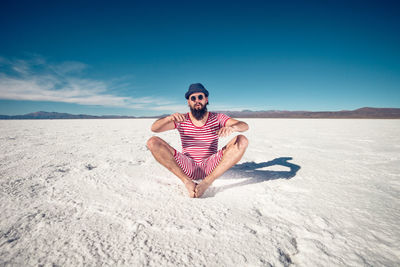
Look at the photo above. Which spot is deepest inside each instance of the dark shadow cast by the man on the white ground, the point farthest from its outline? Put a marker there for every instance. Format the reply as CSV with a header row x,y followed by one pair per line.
x,y
253,171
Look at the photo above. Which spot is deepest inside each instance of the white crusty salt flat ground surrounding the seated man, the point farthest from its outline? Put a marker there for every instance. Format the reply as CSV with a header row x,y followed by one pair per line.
x,y
307,193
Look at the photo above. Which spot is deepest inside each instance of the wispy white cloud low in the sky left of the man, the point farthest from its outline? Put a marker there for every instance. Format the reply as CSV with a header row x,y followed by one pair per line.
x,y
37,80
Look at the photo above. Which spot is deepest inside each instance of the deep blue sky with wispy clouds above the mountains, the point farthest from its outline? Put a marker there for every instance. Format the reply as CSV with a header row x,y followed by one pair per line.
x,y
139,57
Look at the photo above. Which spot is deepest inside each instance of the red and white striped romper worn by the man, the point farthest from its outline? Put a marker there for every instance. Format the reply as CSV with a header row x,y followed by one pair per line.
x,y
200,154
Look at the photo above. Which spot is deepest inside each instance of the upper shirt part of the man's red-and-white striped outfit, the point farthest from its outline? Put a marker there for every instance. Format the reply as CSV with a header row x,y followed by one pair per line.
x,y
200,143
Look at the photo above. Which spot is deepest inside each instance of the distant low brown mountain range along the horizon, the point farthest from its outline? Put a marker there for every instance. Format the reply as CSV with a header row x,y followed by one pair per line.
x,y
362,113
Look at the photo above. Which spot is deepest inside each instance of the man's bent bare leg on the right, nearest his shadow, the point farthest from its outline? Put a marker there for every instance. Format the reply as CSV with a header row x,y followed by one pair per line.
x,y
233,152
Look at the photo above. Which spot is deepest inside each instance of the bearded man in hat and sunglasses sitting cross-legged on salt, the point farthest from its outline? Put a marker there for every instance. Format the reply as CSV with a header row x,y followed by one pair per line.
x,y
199,131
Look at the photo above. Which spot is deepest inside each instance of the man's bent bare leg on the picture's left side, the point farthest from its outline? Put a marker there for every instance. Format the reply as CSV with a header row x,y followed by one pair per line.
x,y
164,154
